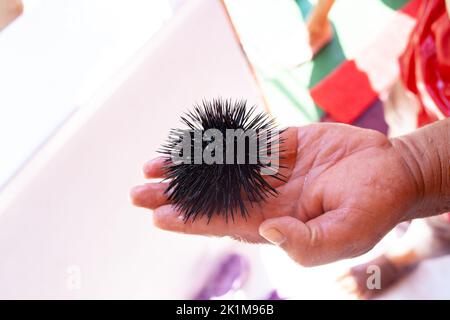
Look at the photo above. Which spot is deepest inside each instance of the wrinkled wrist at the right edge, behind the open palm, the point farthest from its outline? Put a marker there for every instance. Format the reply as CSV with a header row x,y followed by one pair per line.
x,y
426,156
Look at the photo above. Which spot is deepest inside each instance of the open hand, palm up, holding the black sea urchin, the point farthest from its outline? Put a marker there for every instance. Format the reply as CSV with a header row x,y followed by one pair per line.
x,y
347,188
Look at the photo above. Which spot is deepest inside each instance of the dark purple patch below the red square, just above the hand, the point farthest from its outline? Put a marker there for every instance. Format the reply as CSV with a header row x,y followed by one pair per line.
x,y
372,118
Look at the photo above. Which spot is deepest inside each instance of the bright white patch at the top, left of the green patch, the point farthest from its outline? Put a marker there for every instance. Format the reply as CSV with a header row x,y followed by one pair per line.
x,y
272,33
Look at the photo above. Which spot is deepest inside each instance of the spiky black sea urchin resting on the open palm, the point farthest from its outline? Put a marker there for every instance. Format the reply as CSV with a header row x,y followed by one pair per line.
x,y
213,165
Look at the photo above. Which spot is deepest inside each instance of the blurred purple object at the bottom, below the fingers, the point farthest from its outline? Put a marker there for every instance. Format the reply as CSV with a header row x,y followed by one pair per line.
x,y
229,276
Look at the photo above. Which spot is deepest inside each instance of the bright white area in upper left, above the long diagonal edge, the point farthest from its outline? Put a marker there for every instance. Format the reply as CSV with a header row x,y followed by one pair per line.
x,y
55,56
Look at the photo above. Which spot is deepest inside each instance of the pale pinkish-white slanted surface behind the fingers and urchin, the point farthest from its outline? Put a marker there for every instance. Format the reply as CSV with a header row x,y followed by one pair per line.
x,y
67,228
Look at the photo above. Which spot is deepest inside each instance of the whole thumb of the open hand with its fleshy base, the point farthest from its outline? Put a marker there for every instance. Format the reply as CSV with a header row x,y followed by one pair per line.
x,y
335,235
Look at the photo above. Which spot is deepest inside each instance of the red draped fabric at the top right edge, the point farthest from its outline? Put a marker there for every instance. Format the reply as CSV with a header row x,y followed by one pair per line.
x,y
426,60
